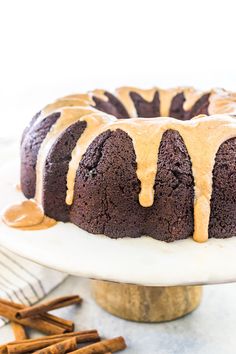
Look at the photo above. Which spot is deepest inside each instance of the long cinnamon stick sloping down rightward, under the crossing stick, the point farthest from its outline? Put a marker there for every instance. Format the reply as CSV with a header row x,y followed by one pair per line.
x,y
45,323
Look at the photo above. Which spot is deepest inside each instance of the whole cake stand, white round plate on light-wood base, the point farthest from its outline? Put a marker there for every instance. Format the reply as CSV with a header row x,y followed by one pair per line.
x,y
138,279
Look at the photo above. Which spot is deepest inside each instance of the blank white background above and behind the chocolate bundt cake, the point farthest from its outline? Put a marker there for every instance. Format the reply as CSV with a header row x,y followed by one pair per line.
x,y
52,48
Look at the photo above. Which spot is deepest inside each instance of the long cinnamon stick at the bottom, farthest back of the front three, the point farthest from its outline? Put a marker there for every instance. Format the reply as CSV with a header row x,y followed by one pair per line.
x,y
32,345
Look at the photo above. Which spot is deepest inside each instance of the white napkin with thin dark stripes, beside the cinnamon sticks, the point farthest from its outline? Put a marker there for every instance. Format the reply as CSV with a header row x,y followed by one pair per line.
x,y
23,281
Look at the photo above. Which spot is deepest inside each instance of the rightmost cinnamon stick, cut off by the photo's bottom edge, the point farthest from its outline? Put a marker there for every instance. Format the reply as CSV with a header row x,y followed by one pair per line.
x,y
109,345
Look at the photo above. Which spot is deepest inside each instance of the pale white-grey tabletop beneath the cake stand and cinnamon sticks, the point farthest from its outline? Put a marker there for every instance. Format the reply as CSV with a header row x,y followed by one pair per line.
x,y
208,330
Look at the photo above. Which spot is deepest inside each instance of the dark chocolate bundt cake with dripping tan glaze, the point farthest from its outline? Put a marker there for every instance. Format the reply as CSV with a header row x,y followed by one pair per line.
x,y
152,162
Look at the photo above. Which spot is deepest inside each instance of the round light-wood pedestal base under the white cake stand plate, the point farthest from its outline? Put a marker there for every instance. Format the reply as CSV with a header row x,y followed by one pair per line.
x,y
146,304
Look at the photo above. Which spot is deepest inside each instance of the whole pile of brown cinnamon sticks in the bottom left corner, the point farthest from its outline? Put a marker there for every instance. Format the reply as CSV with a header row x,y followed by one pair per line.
x,y
61,340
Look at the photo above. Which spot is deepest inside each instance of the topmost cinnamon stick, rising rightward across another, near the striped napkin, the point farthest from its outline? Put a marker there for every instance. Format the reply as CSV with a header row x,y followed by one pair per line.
x,y
48,306
